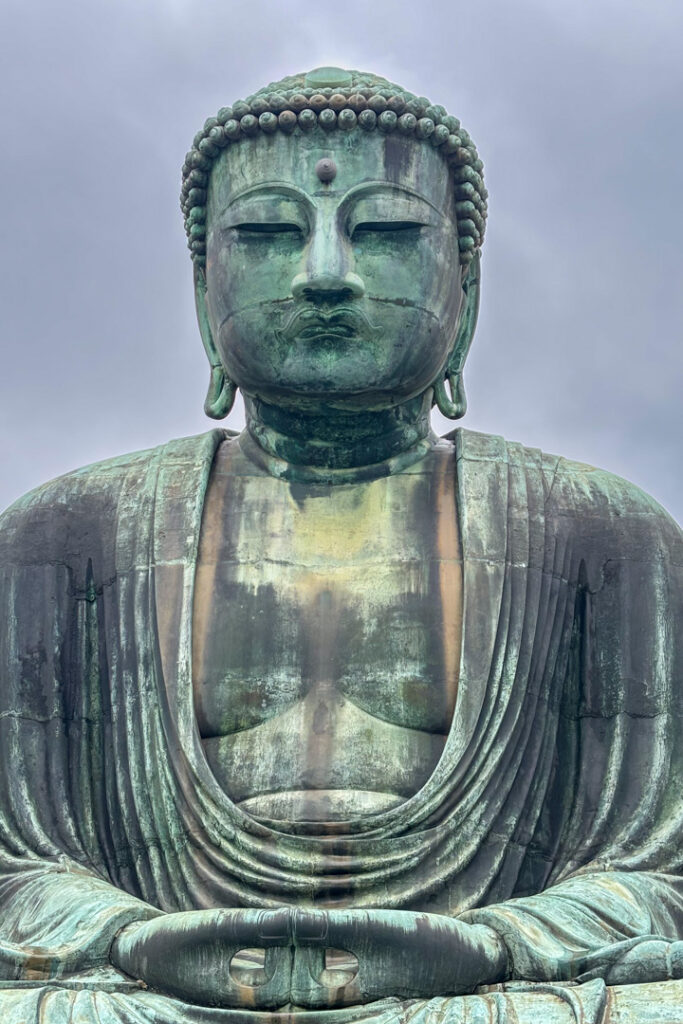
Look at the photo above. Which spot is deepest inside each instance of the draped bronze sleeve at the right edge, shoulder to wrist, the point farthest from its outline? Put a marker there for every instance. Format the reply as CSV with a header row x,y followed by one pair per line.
x,y
613,907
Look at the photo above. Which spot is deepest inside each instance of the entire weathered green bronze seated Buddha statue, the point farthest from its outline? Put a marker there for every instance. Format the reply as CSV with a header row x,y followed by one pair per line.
x,y
335,720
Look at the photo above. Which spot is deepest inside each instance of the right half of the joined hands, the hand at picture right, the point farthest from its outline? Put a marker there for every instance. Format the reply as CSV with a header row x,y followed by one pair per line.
x,y
399,953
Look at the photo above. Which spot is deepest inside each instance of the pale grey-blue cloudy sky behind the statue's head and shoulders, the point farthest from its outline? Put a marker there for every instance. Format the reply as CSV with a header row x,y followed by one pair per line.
x,y
577,109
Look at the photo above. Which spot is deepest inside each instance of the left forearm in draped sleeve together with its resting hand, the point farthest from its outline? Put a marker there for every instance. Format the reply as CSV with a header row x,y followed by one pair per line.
x,y
61,922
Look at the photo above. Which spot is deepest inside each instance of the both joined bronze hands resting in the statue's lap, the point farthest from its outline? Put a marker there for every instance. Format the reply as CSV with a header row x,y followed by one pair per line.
x,y
399,954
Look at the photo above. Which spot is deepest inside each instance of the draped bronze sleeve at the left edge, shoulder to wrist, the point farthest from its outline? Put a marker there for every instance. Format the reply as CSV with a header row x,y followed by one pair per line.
x,y
60,912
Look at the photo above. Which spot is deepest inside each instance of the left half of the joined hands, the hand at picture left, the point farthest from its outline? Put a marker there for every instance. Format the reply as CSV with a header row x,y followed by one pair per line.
x,y
189,956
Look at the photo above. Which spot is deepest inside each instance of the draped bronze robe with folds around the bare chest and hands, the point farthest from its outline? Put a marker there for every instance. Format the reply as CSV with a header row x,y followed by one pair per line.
x,y
554,815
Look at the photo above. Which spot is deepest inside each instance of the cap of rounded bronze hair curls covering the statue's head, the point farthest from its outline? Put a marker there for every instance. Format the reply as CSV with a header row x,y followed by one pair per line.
x,y
335,100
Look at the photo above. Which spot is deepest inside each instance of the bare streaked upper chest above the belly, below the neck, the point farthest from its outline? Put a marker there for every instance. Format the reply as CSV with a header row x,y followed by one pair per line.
x,y
354,590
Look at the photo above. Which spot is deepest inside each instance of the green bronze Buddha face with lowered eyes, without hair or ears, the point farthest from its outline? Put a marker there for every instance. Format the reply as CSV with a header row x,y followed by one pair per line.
x,y
347,291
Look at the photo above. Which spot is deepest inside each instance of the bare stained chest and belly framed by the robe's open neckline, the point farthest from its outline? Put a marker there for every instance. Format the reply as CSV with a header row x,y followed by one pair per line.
x,y
350,685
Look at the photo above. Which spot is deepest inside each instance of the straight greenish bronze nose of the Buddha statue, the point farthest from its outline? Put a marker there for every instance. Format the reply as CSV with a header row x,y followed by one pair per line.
x,y
327,276
